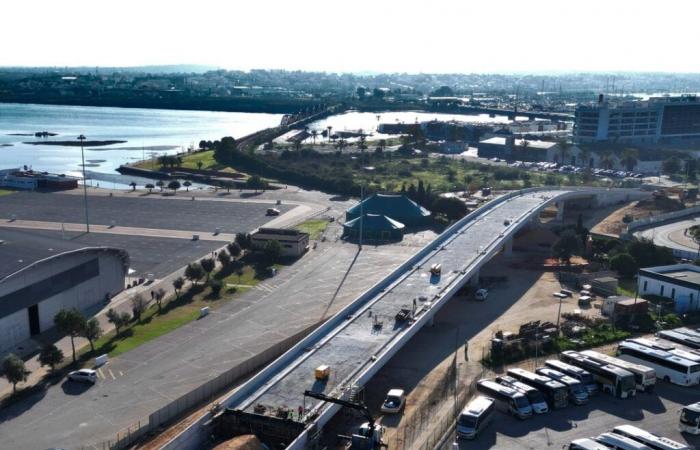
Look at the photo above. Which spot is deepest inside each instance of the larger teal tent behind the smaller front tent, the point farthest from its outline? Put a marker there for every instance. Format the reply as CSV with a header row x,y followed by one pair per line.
x,y
394,206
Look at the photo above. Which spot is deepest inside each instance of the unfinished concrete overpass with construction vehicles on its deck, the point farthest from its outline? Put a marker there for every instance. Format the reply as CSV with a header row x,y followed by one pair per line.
x,y
362,337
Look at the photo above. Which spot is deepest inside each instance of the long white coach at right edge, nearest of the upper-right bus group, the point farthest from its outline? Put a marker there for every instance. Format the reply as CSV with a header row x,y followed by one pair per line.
x,y
668,367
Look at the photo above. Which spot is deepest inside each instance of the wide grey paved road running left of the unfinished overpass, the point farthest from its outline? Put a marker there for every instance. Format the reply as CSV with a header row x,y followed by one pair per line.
x,y
151,376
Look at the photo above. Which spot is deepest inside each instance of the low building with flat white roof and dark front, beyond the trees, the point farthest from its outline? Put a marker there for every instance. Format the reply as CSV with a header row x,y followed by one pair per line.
x,y
513,149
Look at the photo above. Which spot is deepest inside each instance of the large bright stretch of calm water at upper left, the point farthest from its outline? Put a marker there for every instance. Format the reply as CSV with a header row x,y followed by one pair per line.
x,y
145,130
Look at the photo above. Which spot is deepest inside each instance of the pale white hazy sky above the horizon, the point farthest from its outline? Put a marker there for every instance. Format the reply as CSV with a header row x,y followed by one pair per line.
x,y
358,35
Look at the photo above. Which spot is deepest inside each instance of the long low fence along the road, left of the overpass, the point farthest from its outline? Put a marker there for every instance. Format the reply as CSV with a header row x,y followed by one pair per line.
x,y
197,397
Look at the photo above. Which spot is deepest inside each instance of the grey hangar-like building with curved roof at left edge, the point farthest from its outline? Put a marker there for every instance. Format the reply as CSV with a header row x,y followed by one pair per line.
x,y
39,276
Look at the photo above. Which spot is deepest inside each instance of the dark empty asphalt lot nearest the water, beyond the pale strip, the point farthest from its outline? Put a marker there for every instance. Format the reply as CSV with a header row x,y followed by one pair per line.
x,y
173,213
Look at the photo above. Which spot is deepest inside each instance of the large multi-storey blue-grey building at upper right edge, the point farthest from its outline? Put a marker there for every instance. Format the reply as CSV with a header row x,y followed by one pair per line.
x,y
668,119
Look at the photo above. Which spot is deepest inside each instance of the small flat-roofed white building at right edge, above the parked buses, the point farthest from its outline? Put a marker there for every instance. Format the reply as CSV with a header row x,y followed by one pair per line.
x,y
679,282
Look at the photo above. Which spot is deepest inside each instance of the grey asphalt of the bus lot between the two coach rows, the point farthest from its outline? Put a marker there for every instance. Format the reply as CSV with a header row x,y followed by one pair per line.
x,y
657,412
